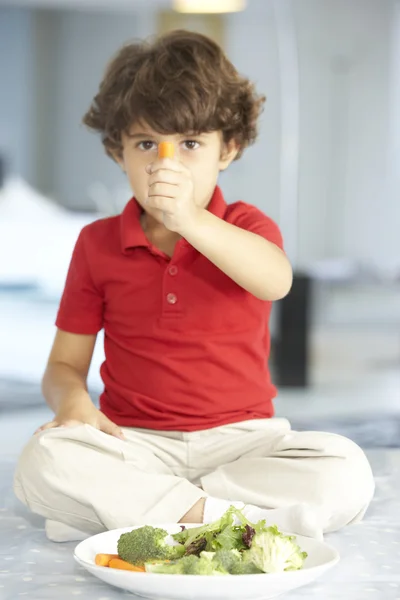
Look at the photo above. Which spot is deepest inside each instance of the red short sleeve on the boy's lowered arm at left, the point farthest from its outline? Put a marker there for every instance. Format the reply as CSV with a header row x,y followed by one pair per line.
x,y
81,306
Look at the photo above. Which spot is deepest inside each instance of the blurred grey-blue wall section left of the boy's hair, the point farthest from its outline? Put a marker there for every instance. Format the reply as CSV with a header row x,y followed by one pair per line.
x,y
87,42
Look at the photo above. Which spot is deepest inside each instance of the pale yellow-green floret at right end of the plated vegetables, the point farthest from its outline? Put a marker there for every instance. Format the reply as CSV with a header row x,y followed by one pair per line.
x,y
274,552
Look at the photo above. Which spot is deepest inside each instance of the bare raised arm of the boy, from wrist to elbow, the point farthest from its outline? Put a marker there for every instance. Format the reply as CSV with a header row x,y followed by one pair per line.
x,y
254,263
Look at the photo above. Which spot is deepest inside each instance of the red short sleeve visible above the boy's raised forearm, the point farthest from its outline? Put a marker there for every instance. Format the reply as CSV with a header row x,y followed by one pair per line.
x,y
252,219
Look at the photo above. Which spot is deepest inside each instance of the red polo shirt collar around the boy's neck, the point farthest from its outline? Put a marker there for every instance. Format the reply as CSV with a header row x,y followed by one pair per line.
x,y
132,234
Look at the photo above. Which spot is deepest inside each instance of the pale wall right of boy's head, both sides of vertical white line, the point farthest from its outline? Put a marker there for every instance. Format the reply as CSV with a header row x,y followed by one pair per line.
x,y
345,208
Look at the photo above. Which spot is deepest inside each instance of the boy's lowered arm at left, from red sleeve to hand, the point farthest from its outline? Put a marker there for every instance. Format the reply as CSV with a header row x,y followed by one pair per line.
x,y
79,319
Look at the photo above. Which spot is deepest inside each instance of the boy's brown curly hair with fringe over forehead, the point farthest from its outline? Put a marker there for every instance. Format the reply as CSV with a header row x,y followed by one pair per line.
x,y
181,83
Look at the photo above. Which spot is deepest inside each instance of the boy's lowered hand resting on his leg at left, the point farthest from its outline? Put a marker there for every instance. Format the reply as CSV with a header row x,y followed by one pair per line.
x,y
76,416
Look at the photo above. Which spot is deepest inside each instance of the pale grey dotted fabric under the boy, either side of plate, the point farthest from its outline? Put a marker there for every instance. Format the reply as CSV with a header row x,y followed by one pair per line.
x,y
31,566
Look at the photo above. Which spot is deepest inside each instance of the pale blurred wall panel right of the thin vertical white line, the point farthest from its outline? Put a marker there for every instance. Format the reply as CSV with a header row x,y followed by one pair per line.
x,y
344,95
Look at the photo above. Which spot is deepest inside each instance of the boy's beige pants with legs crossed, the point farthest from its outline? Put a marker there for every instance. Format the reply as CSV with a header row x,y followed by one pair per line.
x,y
93,482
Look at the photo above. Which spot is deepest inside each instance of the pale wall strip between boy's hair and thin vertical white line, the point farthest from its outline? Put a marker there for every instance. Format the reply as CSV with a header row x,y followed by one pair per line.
x,y
251,44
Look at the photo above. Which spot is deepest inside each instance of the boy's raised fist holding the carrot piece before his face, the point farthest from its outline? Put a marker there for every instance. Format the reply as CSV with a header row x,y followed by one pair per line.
x,y
171,190
